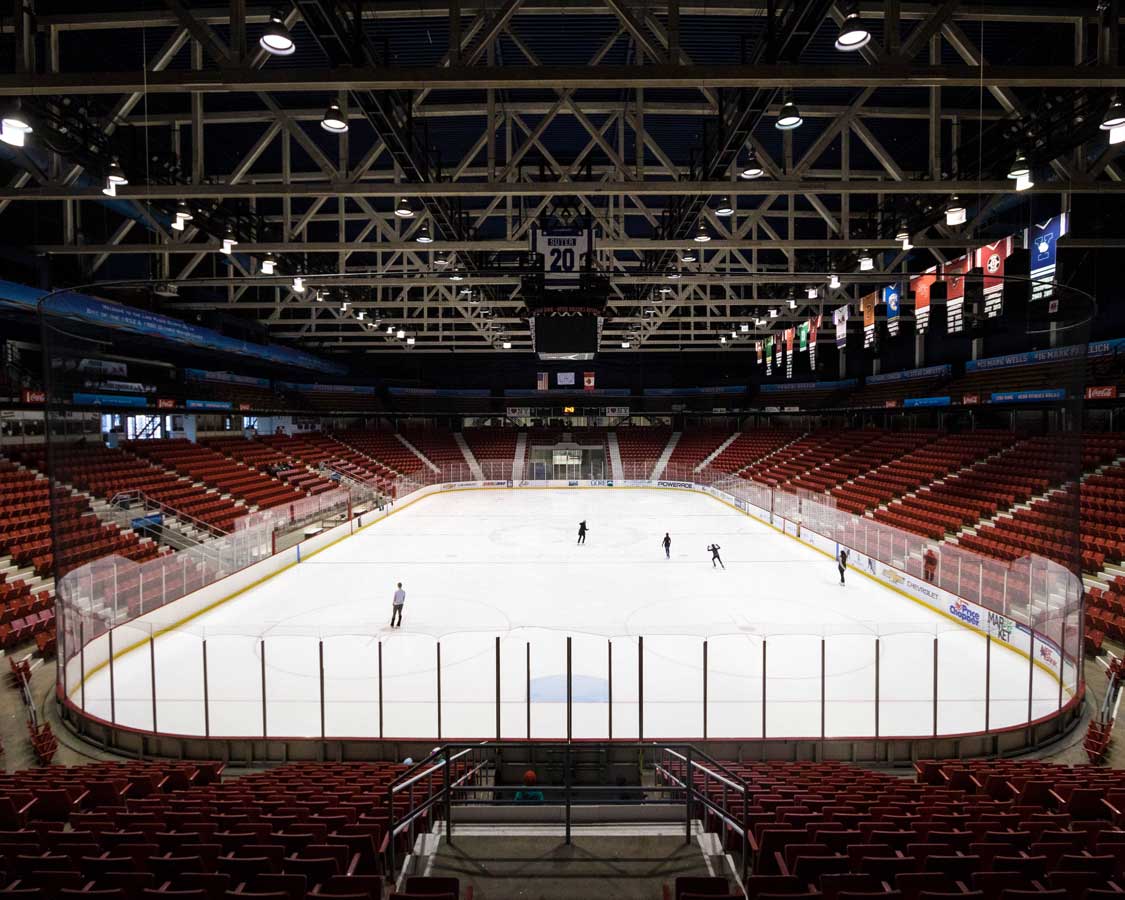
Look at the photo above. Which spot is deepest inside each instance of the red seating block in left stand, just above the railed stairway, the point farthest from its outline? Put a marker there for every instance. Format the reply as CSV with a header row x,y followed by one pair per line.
x,y
105,472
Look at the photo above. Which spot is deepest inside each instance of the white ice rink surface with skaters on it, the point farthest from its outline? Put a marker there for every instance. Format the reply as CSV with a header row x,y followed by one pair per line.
x,y
478,565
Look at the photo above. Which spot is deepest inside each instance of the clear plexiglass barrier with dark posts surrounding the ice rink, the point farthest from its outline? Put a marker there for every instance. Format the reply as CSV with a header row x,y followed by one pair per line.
x,y
1001,651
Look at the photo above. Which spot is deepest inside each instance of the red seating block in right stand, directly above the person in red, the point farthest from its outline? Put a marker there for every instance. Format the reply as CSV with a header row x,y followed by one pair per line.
x,y
980,492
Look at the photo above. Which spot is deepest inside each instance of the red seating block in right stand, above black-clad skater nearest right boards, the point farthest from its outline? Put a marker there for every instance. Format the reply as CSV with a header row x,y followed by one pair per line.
x,y
934,460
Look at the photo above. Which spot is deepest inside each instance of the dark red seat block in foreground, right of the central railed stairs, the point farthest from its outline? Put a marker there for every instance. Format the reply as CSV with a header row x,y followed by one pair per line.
x,y
974,830
